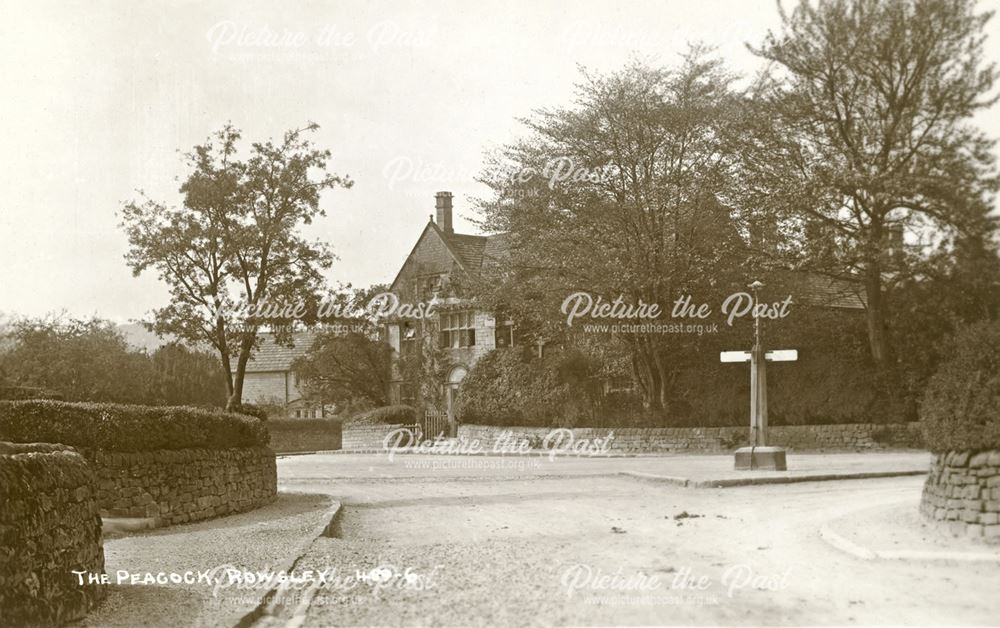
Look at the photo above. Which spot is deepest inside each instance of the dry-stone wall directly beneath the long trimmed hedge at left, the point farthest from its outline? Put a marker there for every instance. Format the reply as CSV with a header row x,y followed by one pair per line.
x,y
183,485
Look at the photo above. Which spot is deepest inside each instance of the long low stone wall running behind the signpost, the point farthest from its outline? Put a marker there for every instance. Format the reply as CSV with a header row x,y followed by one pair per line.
x,y
718,439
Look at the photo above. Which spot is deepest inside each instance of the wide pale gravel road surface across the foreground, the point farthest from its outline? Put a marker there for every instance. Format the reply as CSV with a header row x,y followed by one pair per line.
x,y
497,553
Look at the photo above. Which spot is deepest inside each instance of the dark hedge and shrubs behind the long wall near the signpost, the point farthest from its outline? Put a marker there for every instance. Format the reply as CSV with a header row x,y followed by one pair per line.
x,y
832,382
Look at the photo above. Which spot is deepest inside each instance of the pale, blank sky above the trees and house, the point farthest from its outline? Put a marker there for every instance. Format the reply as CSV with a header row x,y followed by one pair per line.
x,y
100,98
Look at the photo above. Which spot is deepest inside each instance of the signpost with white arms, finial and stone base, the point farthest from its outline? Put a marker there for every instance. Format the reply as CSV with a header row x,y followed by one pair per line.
x,y
759,455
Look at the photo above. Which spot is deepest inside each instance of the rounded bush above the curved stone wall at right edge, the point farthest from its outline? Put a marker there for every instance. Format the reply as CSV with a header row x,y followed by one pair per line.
x,y
961,407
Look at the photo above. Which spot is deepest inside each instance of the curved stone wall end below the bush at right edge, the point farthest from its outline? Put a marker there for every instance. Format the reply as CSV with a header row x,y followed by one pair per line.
x,y
962,494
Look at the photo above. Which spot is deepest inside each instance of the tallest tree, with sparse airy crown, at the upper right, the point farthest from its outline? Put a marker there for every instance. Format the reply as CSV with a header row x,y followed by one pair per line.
x,y
863,133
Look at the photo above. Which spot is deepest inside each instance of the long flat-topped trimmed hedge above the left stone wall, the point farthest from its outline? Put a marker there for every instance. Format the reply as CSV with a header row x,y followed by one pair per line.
x,y
118,427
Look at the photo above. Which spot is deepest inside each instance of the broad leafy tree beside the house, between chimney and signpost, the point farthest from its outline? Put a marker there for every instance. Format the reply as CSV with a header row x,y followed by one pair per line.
x,y
624,194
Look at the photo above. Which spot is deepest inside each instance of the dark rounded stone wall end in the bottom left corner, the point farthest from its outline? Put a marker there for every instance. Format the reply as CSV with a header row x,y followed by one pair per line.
x,y
49,527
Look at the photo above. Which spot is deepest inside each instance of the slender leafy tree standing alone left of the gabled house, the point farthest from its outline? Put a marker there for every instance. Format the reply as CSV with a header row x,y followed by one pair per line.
x,y
235,242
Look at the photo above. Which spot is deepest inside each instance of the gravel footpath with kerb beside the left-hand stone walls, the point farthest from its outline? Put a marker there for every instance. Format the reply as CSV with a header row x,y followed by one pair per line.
x,y
255,540
